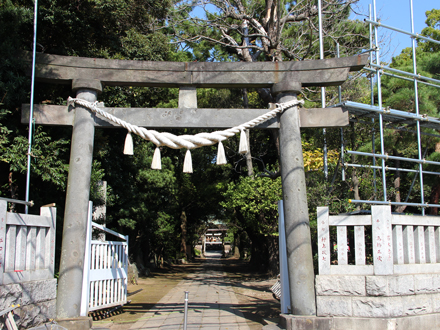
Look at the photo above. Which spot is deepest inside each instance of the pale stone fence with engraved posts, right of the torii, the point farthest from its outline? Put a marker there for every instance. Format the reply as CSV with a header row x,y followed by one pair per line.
x,y
400,244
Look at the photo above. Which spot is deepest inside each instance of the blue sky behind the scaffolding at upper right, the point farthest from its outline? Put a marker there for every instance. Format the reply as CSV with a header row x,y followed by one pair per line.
x,y
396,13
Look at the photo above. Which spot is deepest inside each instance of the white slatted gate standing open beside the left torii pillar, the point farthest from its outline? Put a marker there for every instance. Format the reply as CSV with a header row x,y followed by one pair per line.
x,y
105,271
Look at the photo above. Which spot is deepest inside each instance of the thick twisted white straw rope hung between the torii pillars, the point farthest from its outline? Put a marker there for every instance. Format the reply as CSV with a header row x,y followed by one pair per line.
x,y
185,141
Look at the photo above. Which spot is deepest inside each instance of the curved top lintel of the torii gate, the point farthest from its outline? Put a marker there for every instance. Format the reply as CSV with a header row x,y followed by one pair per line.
x,y
65,69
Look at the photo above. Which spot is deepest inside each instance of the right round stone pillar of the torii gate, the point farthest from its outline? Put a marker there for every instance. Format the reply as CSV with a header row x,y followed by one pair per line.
x,y
296,214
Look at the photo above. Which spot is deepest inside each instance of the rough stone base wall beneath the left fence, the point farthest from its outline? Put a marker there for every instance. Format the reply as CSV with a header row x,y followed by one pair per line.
x,y
36,298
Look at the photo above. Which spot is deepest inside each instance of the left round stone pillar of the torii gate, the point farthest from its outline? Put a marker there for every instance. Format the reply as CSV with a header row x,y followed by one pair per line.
x,y
76,212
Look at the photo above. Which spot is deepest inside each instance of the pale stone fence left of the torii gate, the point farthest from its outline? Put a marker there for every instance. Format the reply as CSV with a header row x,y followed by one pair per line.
x,y
27,245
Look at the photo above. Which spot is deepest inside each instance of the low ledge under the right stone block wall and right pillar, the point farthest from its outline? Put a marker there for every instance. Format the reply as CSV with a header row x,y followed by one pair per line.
x,y
419,322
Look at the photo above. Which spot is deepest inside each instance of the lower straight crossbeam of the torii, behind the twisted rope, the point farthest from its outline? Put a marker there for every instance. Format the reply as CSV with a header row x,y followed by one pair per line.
x,y
219,118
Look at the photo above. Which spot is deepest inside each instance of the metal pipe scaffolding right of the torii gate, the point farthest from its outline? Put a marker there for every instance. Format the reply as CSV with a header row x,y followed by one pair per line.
x,y
395,119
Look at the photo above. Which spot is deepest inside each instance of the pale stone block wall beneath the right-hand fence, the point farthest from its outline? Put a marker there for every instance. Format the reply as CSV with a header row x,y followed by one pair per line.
x,y
377,296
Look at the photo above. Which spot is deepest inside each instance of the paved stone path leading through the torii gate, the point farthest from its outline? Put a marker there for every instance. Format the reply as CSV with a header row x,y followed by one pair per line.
x,y
212,304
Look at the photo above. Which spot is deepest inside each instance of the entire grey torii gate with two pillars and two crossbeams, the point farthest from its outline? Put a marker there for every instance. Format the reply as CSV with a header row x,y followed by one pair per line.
x,y
88,75
